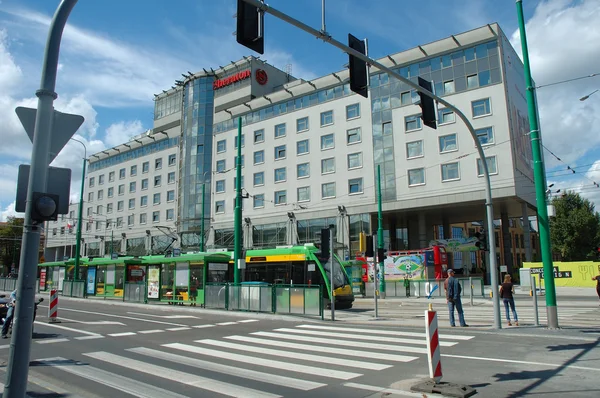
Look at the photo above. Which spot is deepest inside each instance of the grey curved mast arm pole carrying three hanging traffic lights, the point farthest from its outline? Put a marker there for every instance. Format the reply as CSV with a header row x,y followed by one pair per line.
x,y
488,188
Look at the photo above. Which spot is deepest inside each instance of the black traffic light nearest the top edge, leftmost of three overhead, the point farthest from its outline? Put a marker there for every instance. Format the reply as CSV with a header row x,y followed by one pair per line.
x,y
250,27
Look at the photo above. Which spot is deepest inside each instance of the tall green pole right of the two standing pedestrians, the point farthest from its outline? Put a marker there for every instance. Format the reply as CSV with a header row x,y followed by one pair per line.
x,y
540,181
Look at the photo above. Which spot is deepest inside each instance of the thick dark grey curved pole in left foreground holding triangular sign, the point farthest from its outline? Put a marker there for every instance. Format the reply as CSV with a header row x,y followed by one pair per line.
x,y
18,361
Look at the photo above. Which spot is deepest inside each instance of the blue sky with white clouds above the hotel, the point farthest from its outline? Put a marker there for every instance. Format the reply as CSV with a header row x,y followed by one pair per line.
x,y
115,55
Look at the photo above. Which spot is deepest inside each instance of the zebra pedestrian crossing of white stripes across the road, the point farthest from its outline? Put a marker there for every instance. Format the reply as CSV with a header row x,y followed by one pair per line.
x,y
267,363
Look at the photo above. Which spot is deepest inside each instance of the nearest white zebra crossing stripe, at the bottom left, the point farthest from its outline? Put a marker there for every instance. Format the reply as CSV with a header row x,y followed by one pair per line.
x,y
113,380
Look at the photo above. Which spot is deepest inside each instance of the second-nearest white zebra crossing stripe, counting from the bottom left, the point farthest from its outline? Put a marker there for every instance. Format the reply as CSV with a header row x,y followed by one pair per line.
x,y
200,382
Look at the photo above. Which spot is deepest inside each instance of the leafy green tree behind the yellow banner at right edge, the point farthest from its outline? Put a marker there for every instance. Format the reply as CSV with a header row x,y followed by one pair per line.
x,y
575,231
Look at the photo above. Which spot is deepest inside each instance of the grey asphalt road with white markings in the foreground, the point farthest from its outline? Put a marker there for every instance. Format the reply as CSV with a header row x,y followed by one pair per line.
x,y
105,350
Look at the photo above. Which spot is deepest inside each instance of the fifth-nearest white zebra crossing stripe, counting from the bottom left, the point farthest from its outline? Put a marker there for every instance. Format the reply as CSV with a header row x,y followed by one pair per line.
x,y
295,355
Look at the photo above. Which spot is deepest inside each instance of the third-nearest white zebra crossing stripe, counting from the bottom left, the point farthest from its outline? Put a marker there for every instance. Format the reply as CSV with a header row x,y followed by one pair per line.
x,y
290,382
